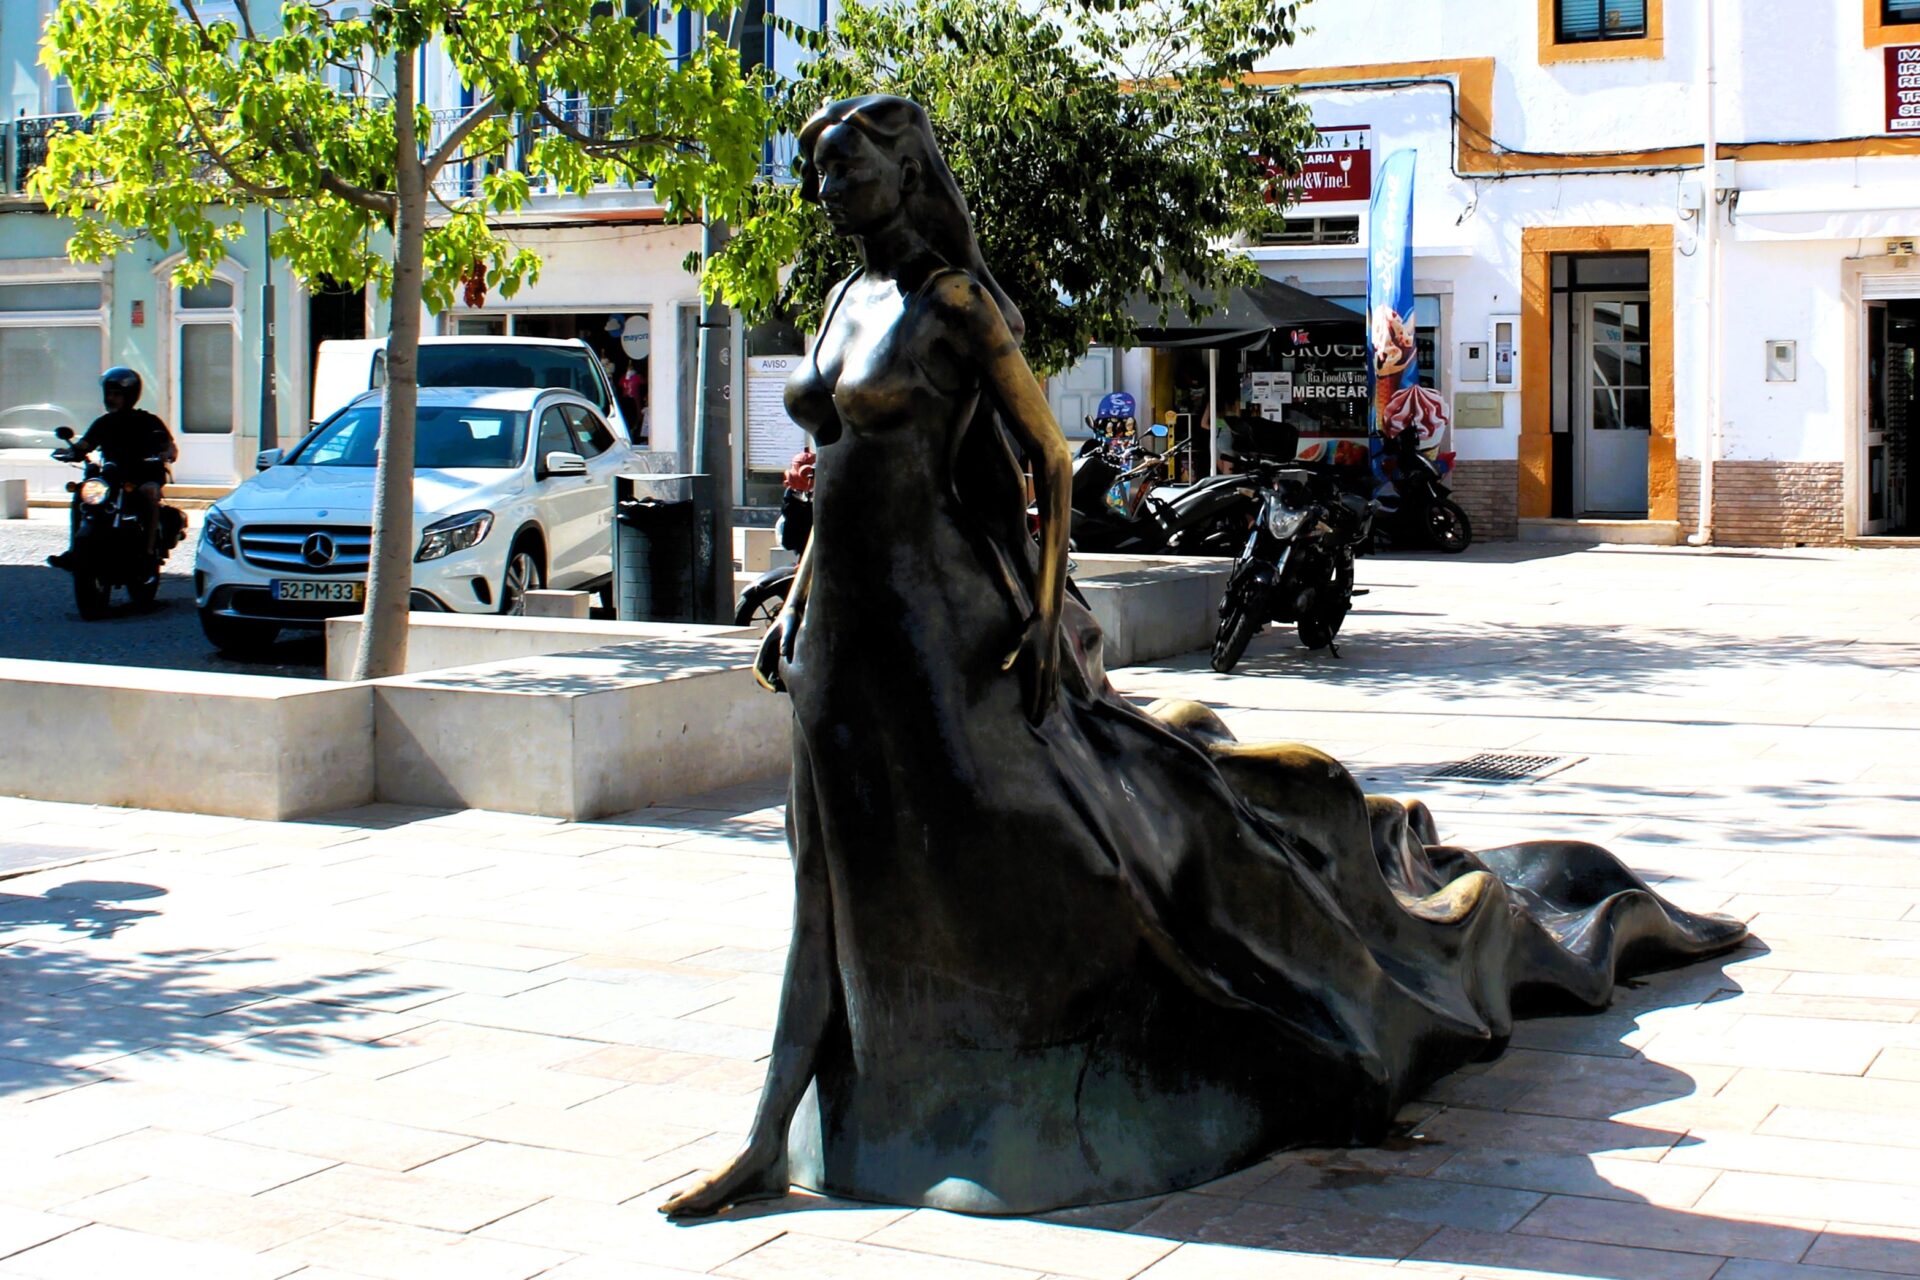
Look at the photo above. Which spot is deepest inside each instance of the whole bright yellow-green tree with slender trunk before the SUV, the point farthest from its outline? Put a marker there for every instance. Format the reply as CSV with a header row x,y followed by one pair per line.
x,y
322,120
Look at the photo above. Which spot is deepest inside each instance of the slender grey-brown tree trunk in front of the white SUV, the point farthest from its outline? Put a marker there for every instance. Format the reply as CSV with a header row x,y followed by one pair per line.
x,y
383,644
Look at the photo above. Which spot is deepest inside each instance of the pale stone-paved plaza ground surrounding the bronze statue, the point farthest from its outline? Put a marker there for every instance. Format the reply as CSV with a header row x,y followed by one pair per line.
x,y
420,1045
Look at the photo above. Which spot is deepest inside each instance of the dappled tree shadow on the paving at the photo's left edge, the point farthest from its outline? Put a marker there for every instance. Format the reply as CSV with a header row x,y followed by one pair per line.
x,y
68,1012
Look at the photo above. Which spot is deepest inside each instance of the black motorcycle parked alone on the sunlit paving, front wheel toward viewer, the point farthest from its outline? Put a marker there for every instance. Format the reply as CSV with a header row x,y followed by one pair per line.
x,y
1297,565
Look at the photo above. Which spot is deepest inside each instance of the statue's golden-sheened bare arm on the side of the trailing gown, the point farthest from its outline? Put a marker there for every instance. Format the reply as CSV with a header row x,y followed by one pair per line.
x,y
990,346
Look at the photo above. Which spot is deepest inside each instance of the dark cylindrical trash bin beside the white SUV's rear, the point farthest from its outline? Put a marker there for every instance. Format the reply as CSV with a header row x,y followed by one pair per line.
x,y
658,548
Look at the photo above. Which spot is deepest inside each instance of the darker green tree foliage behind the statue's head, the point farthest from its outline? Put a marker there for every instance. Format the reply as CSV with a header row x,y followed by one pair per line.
x,y
1109,151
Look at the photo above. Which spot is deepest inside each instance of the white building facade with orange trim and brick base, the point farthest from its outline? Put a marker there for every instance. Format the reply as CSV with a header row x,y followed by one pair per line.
x,y
1562,258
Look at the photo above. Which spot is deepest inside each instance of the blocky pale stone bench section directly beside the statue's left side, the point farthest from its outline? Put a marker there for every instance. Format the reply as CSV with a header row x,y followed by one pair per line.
x,y
583,734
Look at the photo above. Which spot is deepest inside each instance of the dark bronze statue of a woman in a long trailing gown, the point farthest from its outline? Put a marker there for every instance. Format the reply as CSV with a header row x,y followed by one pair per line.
x,y
1051,949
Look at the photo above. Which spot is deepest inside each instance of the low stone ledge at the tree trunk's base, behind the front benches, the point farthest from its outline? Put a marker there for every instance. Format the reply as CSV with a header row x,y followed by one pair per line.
x,y
437,642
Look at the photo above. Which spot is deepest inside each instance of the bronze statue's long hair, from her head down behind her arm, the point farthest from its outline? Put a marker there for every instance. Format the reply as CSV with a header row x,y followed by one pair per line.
x,y
986,469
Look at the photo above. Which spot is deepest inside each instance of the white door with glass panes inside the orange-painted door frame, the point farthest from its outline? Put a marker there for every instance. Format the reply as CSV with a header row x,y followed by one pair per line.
x,y
1616,408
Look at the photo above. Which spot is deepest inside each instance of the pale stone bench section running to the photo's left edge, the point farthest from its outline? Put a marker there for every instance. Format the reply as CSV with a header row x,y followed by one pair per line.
x,y
191,742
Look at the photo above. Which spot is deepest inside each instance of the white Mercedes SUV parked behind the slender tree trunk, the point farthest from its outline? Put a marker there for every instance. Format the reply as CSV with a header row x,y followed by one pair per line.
x,y
514,492
